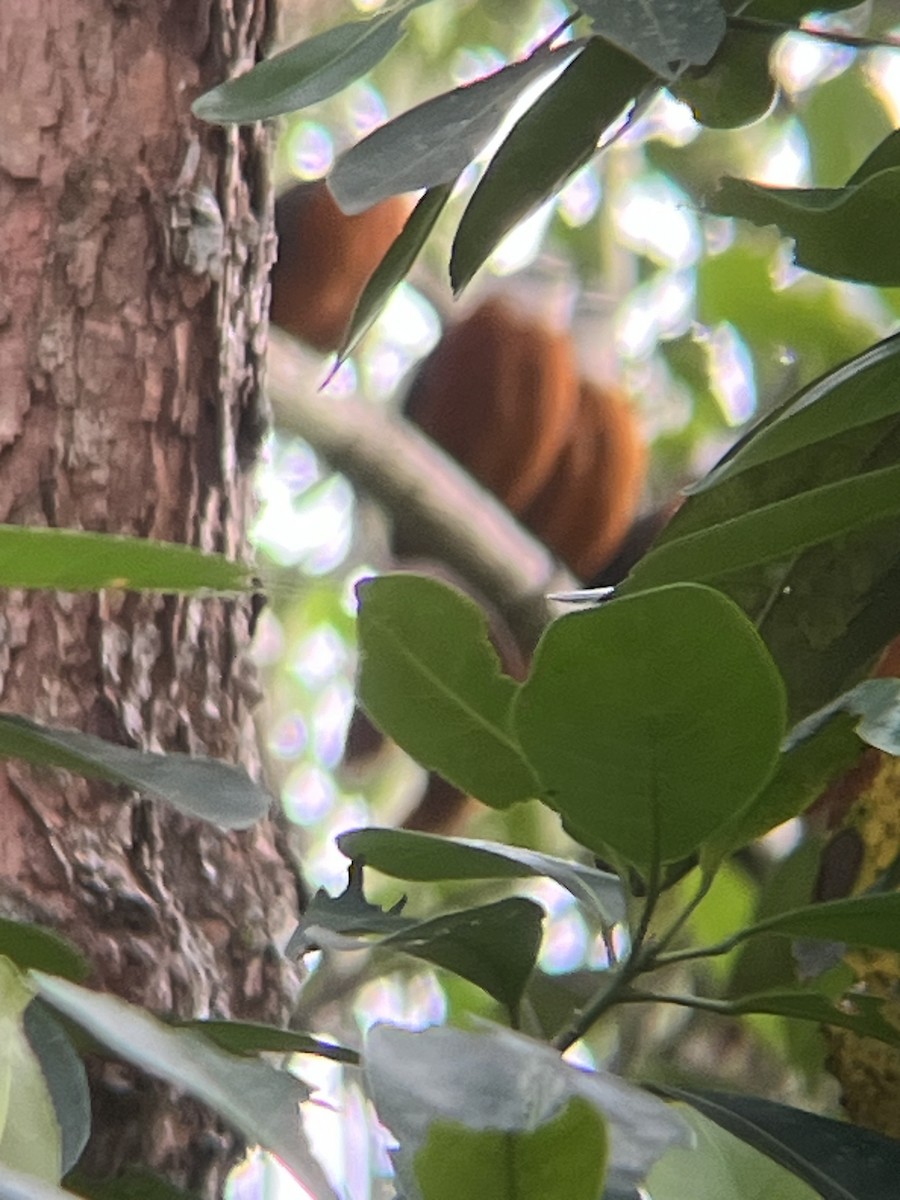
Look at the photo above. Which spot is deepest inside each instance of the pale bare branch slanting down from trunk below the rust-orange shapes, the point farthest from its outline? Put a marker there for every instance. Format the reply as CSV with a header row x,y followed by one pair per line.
x,y
437,509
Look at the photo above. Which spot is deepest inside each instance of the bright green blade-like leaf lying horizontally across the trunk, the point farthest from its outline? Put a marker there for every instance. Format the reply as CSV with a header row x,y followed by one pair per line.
x,y
70,561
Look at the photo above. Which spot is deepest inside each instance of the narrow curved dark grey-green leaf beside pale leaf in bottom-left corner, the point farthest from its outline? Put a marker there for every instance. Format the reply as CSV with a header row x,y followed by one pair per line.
x,y
65,1078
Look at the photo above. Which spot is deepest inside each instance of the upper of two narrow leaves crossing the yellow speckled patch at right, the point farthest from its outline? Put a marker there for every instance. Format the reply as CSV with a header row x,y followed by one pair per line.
x,y
871,920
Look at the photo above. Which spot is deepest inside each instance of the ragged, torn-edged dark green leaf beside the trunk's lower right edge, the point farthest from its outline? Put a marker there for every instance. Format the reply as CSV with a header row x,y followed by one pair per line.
x,y
494,946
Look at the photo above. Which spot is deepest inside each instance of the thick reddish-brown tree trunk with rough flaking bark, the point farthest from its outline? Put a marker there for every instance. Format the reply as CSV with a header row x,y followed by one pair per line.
x,y
135,247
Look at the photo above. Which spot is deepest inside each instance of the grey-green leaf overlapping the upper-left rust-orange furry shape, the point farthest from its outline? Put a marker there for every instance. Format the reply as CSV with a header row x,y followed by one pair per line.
x,y
435,142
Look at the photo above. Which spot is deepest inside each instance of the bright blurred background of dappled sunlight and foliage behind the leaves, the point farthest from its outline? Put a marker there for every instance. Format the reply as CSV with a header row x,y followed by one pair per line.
x,y
705,323
